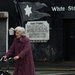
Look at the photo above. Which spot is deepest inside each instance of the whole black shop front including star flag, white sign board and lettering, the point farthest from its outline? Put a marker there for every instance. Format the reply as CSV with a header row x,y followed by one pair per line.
x,y
50,25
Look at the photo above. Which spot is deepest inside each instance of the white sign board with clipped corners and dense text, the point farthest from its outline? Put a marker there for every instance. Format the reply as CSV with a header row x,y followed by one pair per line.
x,y
37,30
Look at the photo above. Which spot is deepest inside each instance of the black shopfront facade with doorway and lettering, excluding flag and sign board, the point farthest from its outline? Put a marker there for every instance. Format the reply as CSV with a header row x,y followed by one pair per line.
x,y
61,44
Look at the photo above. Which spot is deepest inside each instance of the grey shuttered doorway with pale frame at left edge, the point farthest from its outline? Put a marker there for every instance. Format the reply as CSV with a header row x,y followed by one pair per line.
x,y
3,33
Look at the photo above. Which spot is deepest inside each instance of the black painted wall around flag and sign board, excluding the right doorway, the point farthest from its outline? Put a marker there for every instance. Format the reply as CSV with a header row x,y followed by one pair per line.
x,y
52,50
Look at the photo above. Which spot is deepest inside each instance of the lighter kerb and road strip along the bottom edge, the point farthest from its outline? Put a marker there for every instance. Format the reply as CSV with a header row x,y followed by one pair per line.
x,y
50,71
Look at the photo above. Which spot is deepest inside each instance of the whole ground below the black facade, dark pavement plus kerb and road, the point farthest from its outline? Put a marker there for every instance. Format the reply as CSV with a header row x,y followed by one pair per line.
x,y
66,68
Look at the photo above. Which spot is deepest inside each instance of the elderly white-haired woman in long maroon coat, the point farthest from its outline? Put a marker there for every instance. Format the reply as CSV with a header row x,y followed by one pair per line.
x,y
23,54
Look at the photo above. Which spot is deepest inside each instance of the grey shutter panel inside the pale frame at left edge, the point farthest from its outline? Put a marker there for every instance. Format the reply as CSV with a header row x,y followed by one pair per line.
x,y
2,36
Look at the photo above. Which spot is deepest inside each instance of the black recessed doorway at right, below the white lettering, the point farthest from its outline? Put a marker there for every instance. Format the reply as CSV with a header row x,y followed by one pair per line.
x,y
69,39
